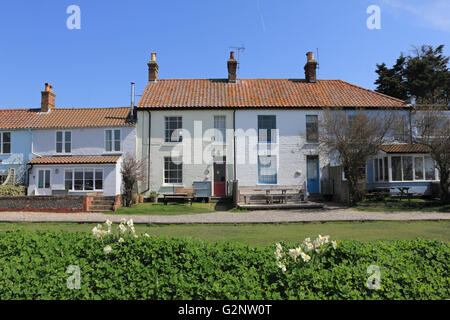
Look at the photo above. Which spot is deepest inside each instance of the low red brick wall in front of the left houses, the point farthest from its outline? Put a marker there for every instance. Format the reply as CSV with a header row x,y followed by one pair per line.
x,y
45,203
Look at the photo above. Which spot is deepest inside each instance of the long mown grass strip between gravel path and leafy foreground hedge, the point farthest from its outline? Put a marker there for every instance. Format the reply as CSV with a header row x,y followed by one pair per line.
x,y
264,234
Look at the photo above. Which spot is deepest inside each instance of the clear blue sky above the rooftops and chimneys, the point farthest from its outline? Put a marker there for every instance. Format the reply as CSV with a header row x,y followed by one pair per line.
x,y
93,66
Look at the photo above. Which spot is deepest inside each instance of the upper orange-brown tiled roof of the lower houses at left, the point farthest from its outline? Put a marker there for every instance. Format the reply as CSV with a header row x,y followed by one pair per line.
x,y
64,118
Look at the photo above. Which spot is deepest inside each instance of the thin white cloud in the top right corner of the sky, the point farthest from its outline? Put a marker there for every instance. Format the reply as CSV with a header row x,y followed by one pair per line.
x,y
433,13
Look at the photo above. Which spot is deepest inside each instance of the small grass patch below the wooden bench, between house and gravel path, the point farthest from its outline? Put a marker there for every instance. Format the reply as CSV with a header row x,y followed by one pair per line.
x,y
170,209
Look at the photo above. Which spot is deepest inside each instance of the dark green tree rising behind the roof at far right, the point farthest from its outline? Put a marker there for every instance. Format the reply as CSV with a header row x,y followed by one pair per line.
x,y
423,74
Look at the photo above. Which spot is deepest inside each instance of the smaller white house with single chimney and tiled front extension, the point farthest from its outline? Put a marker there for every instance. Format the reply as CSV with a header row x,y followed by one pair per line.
x,y
78,151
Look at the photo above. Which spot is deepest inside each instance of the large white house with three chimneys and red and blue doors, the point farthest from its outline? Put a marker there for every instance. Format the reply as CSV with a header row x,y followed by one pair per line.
x,y
271,128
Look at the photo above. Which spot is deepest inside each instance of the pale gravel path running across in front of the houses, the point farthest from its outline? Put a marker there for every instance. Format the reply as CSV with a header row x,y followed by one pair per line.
x,y
266,216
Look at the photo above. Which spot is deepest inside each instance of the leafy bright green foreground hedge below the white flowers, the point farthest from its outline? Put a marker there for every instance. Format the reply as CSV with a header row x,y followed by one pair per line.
x,y
33,266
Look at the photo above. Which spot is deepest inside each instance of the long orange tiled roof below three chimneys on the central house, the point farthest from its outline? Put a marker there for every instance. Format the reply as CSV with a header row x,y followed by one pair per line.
x,y
200,93
